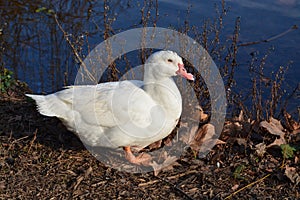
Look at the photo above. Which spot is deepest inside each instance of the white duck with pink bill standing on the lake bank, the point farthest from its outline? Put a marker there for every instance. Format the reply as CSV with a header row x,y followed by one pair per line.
x,y
126,113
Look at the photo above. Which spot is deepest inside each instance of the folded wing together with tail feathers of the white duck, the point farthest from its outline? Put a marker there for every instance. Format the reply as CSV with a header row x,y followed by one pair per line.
x,y
108,104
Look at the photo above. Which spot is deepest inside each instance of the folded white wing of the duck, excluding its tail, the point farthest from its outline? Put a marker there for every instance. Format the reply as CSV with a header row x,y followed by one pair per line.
x,y
111,104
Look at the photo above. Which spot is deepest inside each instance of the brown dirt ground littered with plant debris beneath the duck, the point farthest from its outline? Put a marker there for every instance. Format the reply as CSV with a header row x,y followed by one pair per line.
x,y
40,159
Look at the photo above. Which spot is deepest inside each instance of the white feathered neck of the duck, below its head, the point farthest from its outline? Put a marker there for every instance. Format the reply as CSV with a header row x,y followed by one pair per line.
x,y
165,93
